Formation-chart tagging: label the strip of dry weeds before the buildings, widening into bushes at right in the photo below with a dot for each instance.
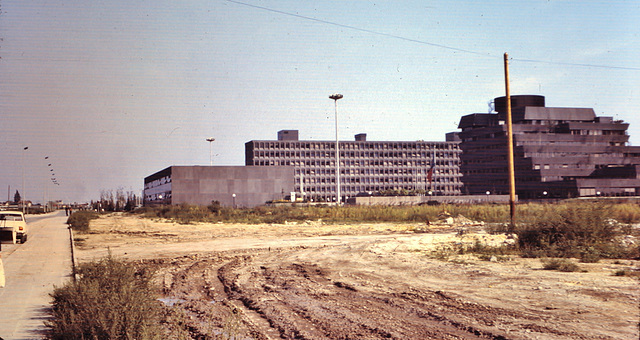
(585, 230)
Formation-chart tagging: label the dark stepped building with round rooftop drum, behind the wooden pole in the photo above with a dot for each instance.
(559, 152)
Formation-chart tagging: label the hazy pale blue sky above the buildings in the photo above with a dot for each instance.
(112, 91)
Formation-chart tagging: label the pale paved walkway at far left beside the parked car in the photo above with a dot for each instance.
(32, 270)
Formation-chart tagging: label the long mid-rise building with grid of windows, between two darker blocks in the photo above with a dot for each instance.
(366, 167)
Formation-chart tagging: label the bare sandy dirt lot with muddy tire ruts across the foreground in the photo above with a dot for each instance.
(365, 281)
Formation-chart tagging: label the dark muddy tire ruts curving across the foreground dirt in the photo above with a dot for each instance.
(268, 297)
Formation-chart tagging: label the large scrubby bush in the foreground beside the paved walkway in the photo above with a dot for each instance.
(110, 300)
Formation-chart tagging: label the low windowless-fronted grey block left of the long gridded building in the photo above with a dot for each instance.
(232, 186)
